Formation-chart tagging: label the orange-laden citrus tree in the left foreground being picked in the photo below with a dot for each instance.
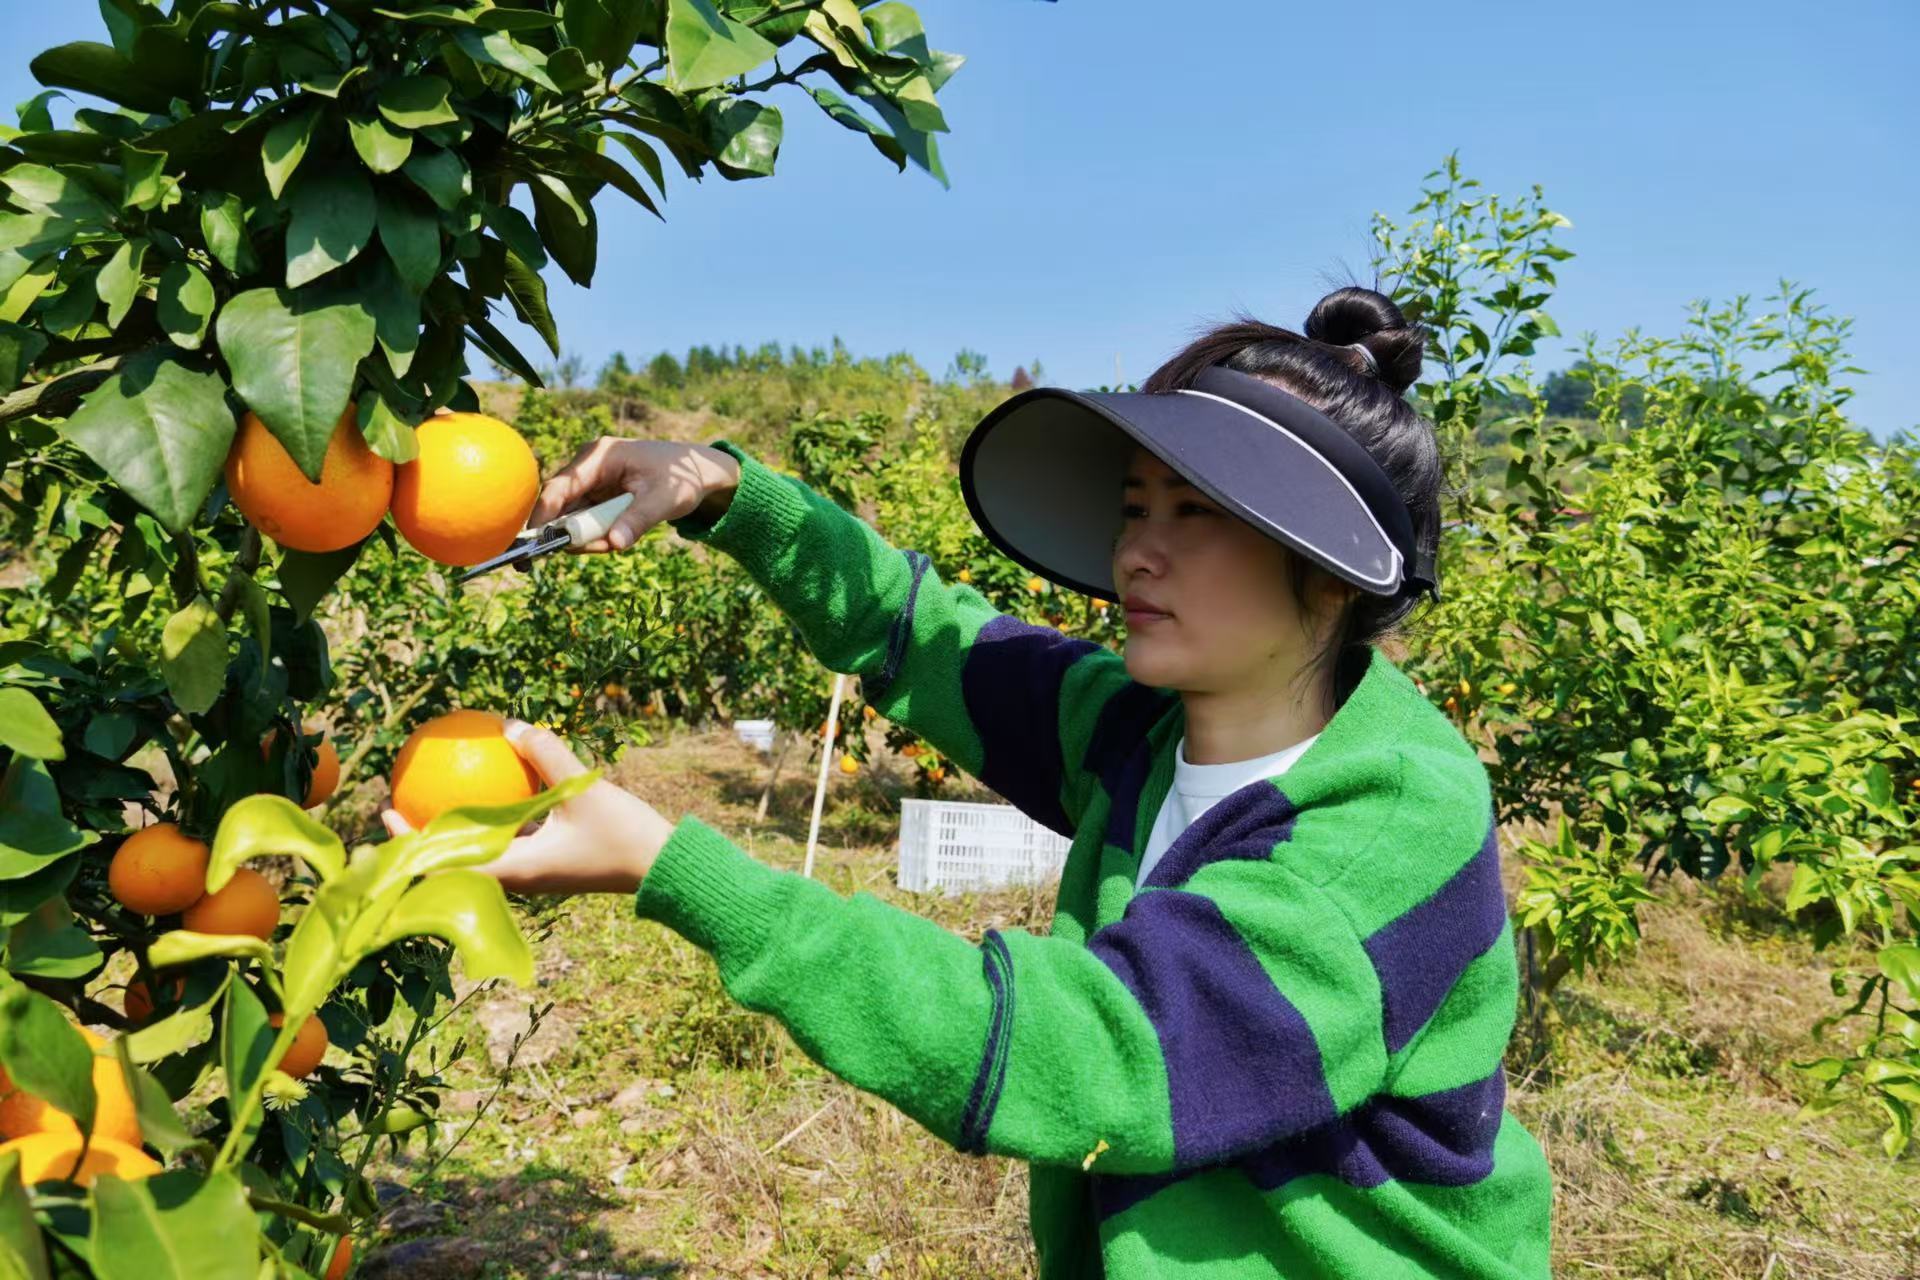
(281, 239)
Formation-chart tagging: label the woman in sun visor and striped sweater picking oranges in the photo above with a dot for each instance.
(1266, 1031)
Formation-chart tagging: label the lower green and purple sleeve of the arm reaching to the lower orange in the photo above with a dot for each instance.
(1212, 1020)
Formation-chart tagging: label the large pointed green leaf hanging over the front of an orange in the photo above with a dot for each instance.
(293, 358)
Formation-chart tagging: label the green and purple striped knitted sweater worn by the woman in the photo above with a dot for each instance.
(1284, 1053)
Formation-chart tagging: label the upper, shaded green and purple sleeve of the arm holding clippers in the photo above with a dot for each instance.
(1017, 705)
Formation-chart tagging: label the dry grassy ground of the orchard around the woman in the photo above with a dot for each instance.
(650, 1127)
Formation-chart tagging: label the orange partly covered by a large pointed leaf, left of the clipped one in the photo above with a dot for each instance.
(270, 490)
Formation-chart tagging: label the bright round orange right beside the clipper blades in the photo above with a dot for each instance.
(469, 490)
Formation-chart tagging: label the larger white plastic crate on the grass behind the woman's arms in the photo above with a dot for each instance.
(953, 847)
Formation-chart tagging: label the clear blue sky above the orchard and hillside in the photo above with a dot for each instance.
(1126, 172)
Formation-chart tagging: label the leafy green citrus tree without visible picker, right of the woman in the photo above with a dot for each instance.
(1687, 632)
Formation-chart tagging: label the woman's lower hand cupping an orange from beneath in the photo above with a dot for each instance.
(602, 841)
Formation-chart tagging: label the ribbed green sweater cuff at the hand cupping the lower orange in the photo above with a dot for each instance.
(711, 893)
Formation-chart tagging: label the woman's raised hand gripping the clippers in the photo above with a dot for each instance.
(667, 479)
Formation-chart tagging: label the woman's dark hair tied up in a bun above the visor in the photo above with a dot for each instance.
(1372, 406)
